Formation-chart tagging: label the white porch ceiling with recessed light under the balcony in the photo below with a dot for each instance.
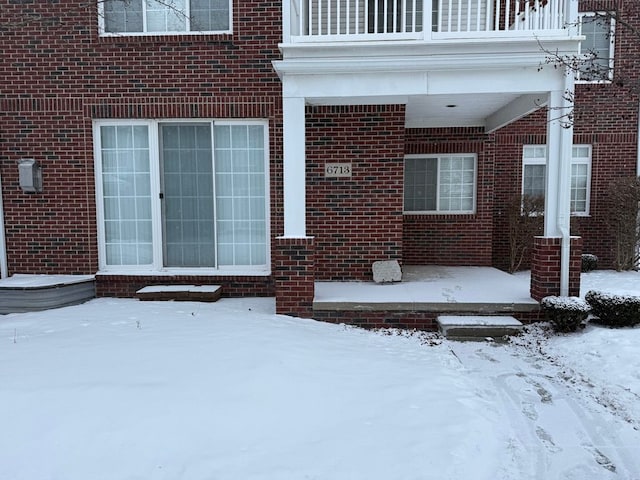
(488, 110)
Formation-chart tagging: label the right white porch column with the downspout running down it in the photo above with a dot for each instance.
(558, 188)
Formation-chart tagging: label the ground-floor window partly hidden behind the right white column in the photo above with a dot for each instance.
(534, 175)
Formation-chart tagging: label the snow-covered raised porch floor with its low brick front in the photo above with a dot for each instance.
(425, 293)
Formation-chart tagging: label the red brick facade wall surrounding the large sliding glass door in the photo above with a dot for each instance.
(59, 75)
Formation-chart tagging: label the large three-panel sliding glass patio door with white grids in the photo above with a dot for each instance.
(182, 194)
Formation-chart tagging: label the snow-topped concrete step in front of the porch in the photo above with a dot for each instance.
(477, 327)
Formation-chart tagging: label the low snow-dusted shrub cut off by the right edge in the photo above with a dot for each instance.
(614, 310)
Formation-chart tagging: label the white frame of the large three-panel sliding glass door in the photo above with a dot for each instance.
(157, 266)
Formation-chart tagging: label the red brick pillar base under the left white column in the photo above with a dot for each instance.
(295, 276)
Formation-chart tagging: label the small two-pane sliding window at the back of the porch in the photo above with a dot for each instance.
(442, 183)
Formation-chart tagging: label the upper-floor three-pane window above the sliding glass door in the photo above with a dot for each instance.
(133, 17)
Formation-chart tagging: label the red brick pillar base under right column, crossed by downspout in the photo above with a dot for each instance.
(545, 267)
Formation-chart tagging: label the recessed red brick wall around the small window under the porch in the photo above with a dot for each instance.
(443, 239)
